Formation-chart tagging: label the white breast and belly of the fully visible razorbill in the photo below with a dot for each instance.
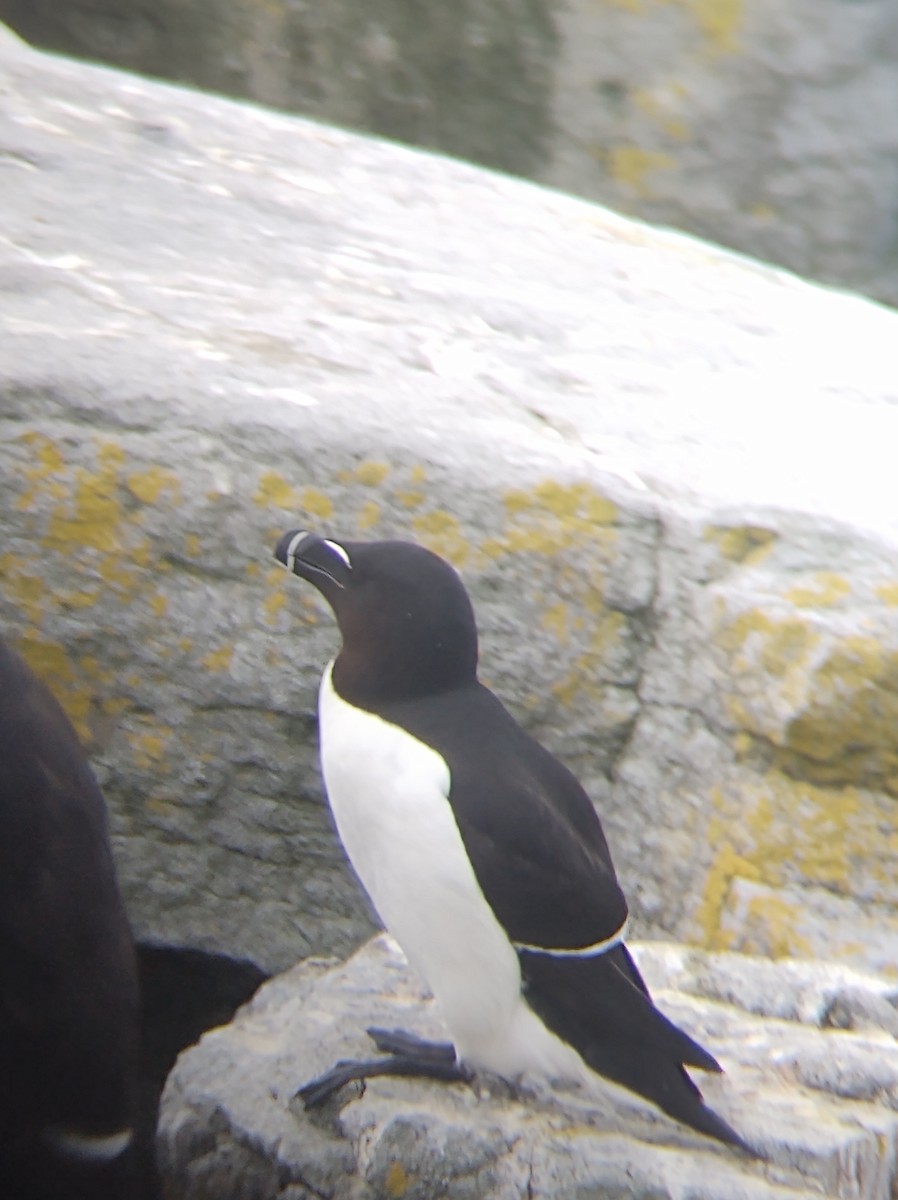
(390, 797)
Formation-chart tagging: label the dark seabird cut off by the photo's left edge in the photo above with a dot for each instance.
(69, 999)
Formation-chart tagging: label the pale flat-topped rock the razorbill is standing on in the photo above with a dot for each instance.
(819, 1105)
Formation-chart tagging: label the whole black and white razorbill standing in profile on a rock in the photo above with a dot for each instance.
(482, 854)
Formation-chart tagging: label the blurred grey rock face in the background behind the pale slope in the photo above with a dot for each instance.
(727, 119)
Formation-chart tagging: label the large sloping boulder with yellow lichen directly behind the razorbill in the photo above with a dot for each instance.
(667, 475)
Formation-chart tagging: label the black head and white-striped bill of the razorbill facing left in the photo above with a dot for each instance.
(406, 620)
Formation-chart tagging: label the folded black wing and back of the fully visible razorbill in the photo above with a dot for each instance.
(531, 831)
